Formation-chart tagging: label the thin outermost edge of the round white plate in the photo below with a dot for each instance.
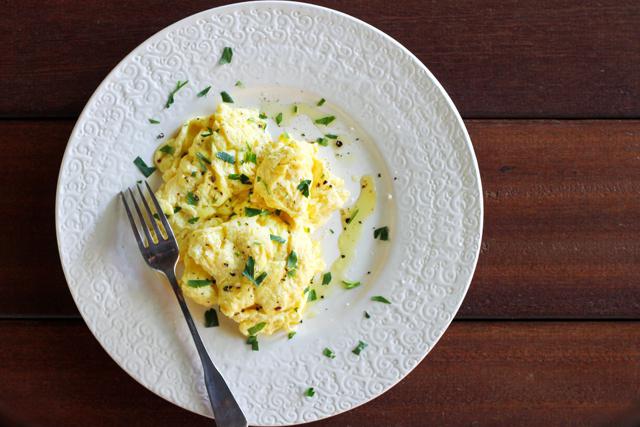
(456, 114)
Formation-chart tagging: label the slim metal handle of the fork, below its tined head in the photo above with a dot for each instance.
(226, 411)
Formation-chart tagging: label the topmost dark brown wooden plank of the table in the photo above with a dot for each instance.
(496, 58)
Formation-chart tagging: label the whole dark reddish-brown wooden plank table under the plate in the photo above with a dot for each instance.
(549, 332)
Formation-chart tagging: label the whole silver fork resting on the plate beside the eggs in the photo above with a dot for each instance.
(163, 256)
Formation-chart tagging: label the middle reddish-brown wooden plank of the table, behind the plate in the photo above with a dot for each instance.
(562, 220)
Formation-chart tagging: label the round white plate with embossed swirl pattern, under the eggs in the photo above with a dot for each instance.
(429, 196)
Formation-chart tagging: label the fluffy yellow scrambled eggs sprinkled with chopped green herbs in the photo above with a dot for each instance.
(243, 208)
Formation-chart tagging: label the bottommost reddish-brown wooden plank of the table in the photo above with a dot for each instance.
(481, 373)
